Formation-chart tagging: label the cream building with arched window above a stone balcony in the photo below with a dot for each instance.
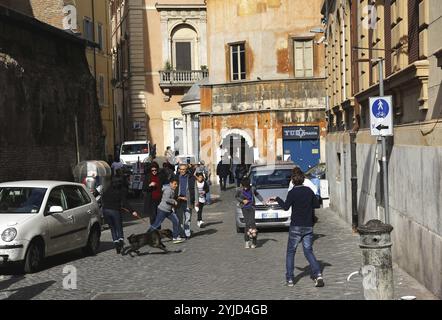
(160, 52)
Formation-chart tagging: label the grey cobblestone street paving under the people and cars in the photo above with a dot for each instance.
(213, 265)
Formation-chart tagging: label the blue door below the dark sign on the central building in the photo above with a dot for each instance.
(304, 153)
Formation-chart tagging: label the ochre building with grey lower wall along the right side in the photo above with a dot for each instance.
(404, 34)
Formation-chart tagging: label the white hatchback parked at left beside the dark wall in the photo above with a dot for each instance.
(44, 218)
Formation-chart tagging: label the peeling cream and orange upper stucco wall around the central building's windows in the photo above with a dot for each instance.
(267, 27)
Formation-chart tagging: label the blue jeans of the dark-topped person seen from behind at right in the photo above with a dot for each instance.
(296, 235)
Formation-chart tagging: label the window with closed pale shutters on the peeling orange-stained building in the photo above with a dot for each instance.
(303, 58)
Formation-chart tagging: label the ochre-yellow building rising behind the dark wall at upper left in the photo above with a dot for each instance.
(89, 19)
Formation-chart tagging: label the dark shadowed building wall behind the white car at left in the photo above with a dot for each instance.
(45, 85)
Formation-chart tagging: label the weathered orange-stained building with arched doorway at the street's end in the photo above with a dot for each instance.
(265, 99)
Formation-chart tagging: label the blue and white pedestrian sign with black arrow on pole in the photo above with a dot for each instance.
(381, 118)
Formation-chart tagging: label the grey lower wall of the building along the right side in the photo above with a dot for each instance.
(415, 189)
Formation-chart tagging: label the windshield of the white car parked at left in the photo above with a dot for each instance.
(21, 200)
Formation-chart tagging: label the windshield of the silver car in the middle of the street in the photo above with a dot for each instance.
(271, 178)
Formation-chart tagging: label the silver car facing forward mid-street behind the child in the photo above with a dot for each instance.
(270, 181)
